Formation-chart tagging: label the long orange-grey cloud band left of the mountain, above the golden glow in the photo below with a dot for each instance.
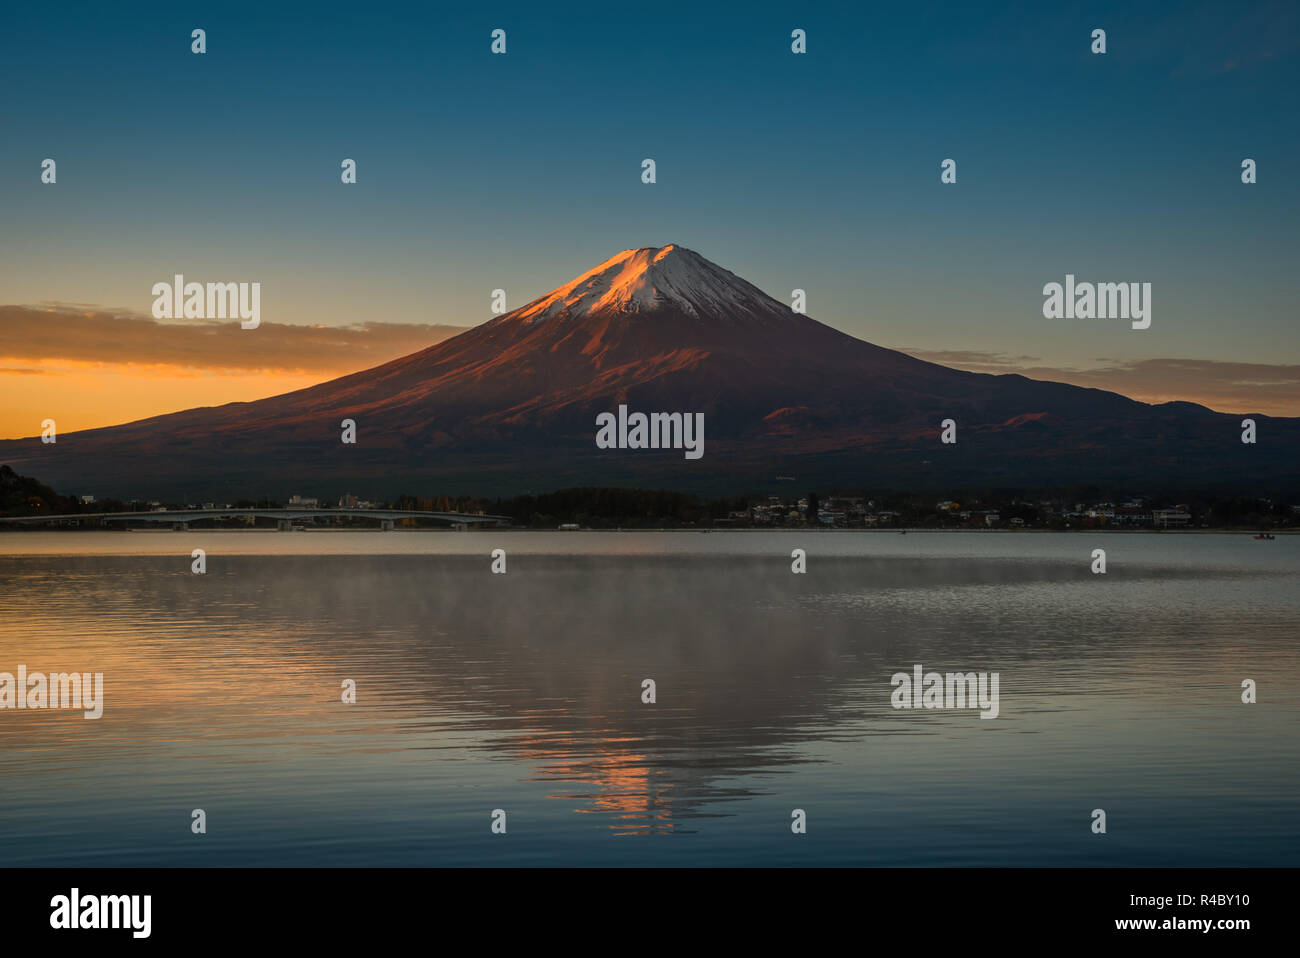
(86, 333)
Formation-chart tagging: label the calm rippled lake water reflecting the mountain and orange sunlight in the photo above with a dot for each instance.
(523, 692)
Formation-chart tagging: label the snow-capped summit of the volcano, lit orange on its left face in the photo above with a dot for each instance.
(653, 279)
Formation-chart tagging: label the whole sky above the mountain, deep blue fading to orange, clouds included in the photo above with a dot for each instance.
(519, 172)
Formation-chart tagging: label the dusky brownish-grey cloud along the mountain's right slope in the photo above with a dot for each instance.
(1264, 388)
